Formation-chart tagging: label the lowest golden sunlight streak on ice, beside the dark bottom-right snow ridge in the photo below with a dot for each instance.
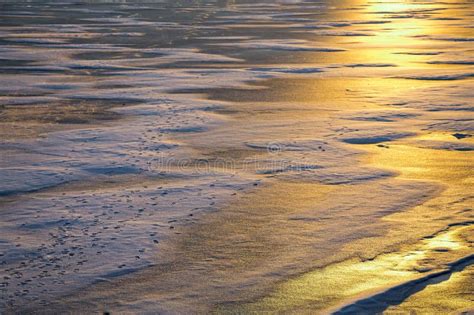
(324, 289)
